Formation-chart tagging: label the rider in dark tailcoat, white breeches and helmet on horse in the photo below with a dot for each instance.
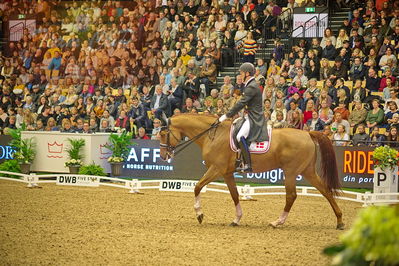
(253, 129)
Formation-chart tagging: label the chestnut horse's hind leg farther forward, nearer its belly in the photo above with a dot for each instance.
(290, 197)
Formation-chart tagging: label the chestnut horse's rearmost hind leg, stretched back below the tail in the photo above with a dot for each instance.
(316, 181)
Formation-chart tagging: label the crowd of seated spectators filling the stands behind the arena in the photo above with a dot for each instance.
(103, 66)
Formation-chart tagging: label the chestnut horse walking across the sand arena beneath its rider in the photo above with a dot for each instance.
(294, 151)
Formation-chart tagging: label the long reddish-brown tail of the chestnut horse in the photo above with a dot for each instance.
(329, 170)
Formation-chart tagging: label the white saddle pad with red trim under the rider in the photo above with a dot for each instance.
(254, 147)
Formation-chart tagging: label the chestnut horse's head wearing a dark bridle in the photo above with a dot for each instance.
(169, 137)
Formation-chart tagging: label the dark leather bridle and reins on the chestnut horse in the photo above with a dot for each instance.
(174, 150)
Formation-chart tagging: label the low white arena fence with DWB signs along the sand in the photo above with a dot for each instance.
(246, 192)
